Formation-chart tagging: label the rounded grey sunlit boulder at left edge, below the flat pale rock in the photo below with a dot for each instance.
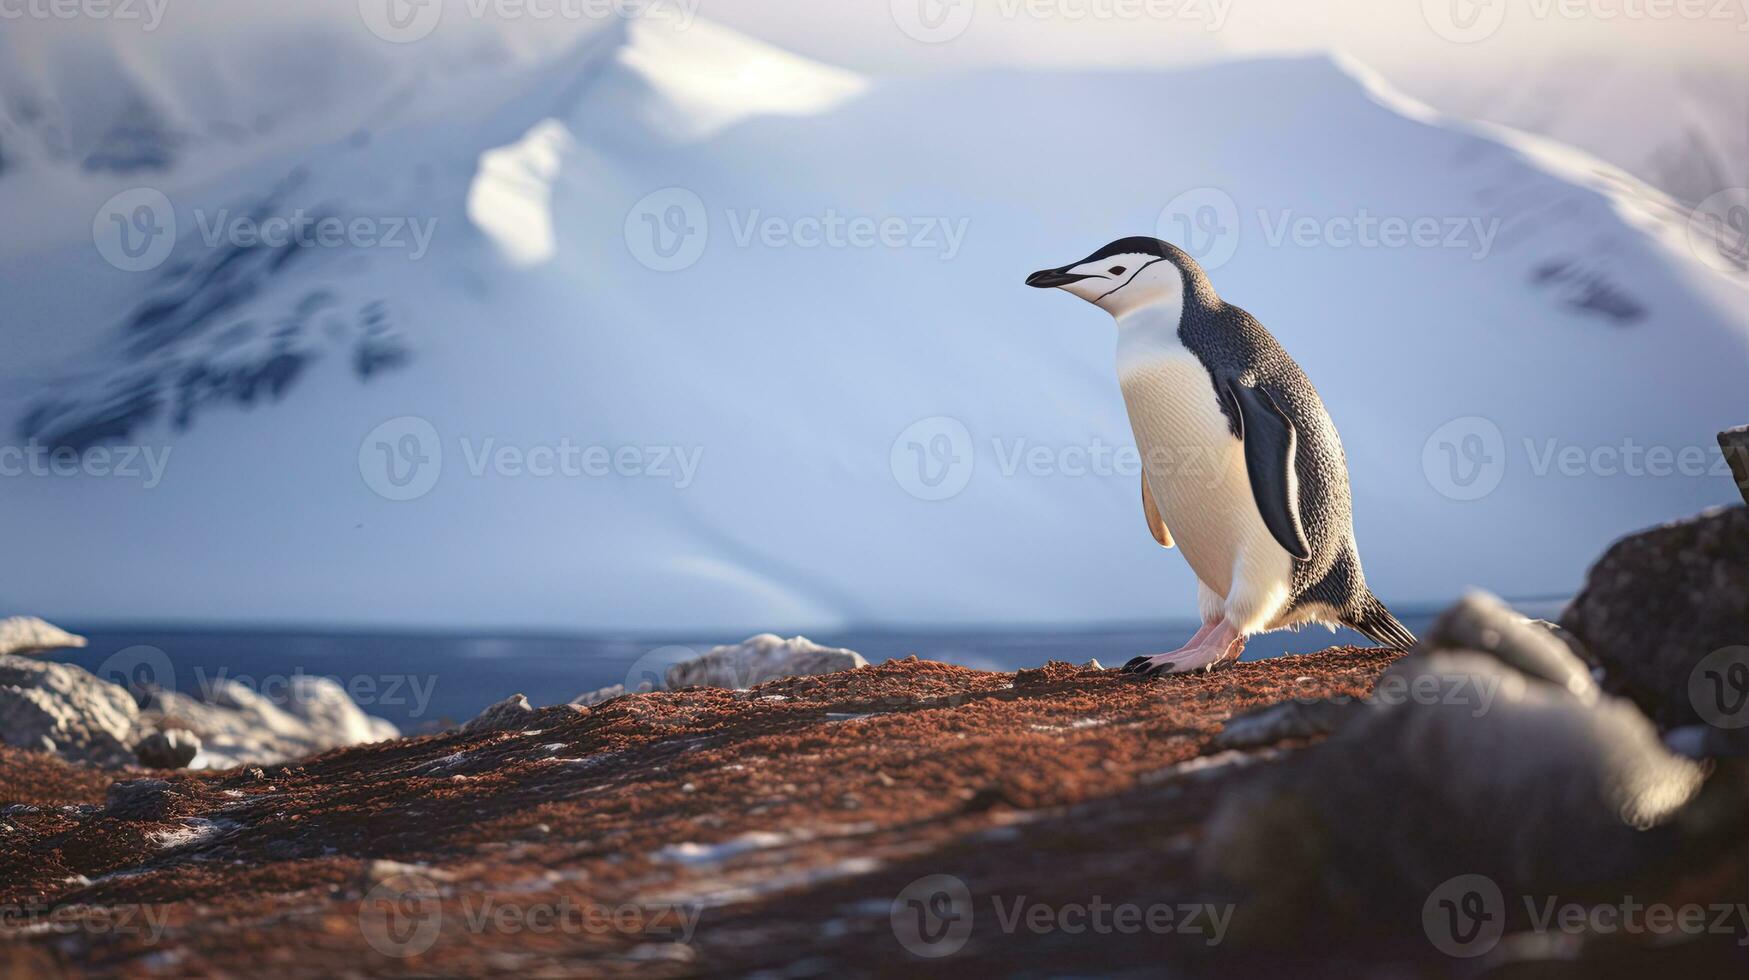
(83, 717)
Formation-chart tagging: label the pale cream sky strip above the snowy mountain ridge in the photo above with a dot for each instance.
(1402, 38)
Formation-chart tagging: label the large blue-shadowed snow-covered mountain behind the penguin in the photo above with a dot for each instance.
(758, 312)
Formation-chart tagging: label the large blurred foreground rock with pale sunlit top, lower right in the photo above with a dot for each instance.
(1488, 752)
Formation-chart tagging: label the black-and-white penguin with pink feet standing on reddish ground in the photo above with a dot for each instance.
(1243, 468)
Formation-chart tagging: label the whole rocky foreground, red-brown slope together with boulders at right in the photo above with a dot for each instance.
(1505, 801)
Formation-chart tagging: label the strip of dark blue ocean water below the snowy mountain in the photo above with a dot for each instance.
(422, 682)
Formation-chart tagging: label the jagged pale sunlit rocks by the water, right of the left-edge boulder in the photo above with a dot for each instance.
(239, 727)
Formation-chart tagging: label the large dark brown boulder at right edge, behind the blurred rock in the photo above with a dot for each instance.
(1661, 603)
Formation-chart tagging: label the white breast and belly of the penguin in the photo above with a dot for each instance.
(1197, 470)
